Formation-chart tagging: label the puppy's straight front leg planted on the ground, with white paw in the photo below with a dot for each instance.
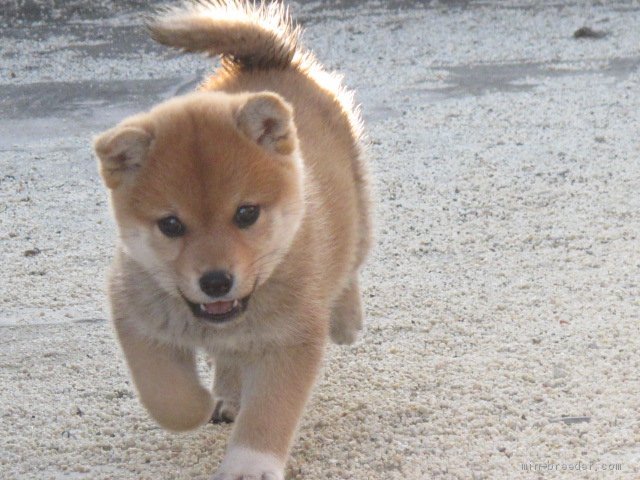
(275, 389)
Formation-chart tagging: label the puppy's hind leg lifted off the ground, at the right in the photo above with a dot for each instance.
(346, 316)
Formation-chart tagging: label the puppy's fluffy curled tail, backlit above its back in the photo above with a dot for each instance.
(252, 36)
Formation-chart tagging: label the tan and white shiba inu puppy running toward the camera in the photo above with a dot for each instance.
(243, 219)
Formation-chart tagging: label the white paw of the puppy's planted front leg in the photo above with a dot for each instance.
(241, 463)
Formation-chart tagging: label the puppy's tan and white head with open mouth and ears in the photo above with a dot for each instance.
(207, 194)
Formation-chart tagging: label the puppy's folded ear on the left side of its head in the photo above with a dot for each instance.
(121, 150)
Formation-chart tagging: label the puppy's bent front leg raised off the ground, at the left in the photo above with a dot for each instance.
(166, 379)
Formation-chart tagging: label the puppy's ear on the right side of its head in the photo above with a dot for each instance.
(267, 119)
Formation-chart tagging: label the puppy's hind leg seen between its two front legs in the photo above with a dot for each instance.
(226, 390)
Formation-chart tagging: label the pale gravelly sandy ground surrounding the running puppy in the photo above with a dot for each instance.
(503, 296)
